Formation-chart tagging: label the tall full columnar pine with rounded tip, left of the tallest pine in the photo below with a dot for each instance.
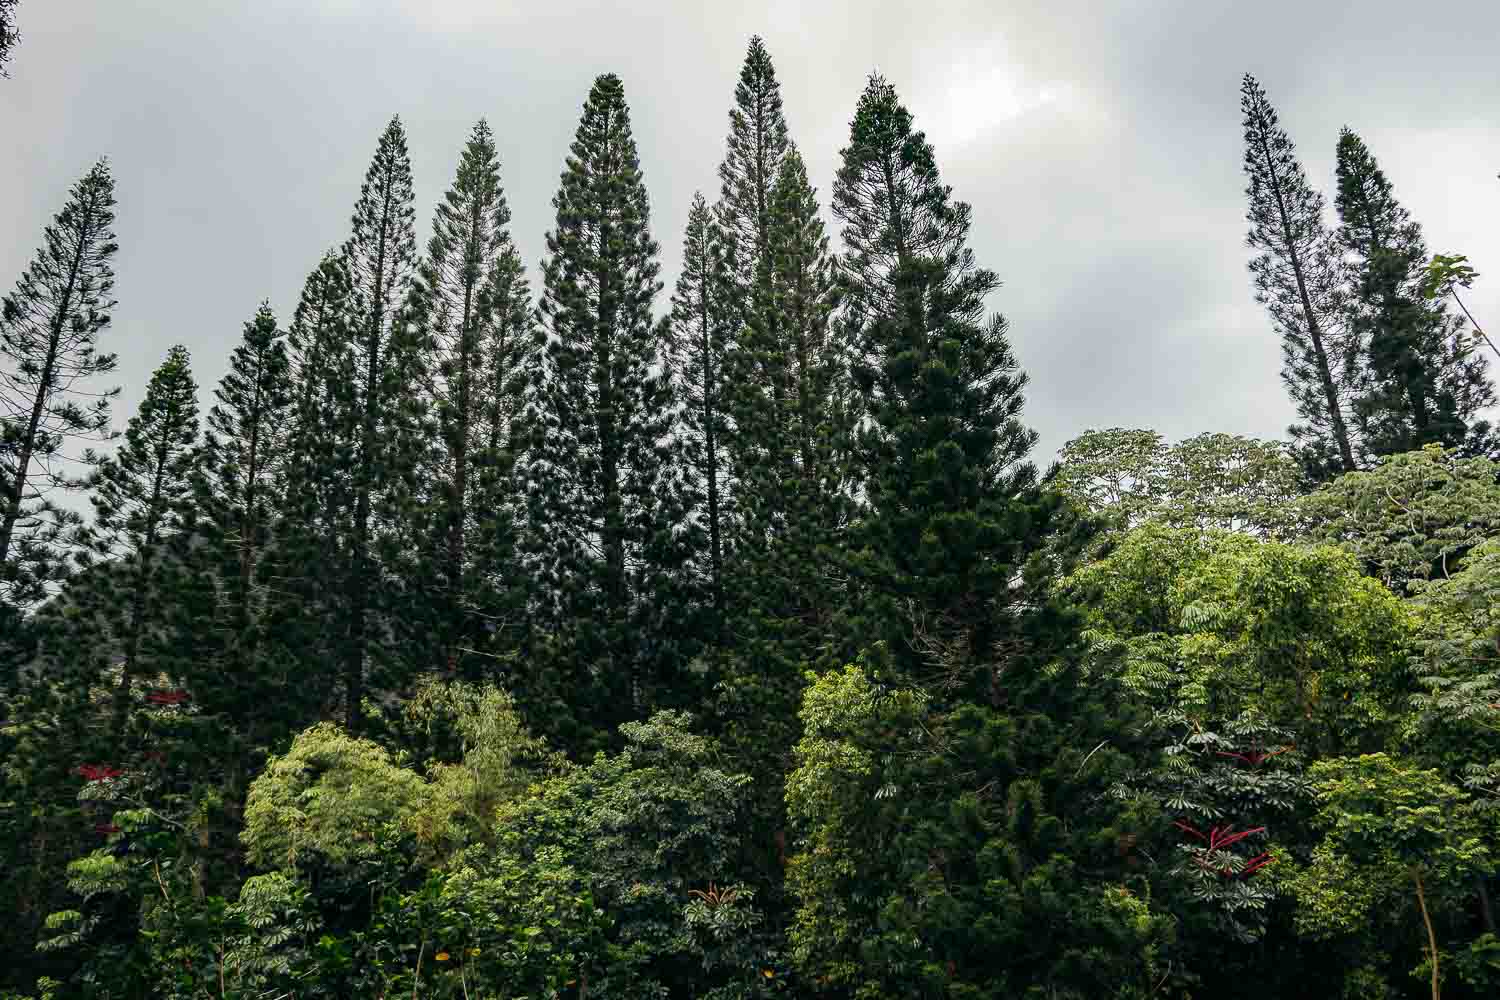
(604, 463)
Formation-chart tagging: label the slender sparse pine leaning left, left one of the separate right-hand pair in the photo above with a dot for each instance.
(1300, 280)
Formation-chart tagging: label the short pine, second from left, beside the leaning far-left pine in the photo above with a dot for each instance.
(145, 500)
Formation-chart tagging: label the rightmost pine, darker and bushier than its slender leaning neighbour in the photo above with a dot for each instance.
(1424, 383)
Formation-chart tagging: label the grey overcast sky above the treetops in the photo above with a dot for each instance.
(1100, 151)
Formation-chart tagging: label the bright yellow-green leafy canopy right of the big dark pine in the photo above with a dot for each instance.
(1214, 624)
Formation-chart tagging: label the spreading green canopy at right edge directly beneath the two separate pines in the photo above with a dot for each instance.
(1412, 518)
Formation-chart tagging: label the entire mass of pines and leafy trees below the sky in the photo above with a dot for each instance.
(590, 641)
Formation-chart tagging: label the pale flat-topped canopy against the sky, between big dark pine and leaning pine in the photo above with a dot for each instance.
(1214, 481)
